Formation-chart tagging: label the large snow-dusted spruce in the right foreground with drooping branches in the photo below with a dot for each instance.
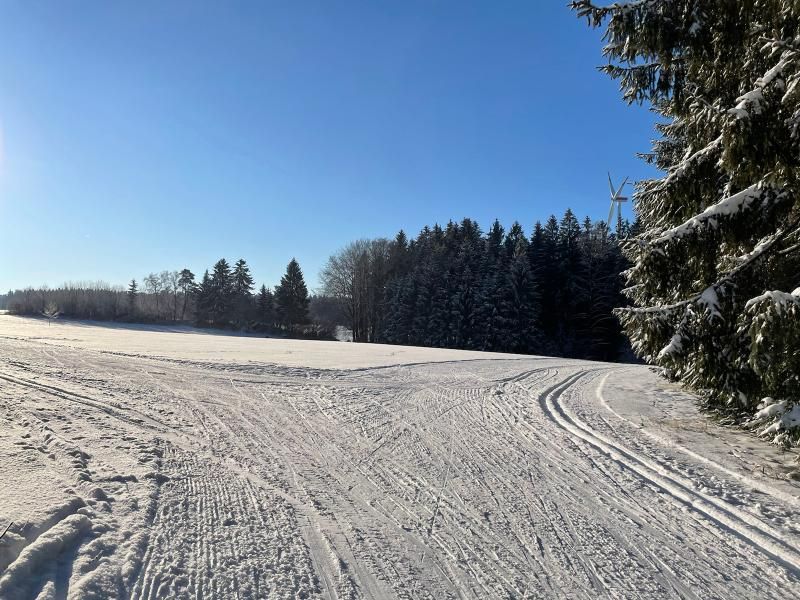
(716, 265)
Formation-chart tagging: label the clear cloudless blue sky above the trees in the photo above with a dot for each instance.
(143, 136)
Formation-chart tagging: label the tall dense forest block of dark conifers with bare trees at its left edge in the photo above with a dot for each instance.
(457, 287)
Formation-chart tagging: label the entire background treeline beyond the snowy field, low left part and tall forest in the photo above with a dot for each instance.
(552, 292)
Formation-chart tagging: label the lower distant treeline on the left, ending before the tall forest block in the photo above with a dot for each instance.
(223, 298)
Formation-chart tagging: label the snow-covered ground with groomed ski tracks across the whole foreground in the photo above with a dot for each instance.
(151, 463)
